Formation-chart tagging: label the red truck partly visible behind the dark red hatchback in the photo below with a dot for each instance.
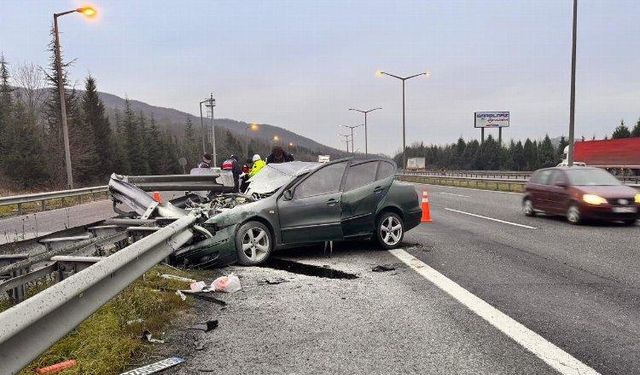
(617, 155)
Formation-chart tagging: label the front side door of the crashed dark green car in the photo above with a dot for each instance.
(312, 214)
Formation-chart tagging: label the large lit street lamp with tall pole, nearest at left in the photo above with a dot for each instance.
(87, 12)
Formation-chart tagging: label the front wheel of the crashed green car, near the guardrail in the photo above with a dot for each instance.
(253, 243)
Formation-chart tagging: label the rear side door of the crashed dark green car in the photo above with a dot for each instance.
(360, 196)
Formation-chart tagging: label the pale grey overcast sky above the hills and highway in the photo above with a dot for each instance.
(302, 64)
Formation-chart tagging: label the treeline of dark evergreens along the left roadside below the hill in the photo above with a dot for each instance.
(31, 138)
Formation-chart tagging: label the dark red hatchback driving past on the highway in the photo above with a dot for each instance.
(580, 193)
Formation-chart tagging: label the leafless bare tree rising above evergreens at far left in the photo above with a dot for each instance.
(31, 93)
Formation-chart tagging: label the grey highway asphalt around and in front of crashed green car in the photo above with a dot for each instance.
(574, 286)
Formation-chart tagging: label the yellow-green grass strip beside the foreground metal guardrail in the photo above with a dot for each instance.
(104, 343)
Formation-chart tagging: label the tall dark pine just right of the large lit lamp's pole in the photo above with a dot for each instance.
(95, 117)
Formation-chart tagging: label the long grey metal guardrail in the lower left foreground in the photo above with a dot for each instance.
(29, 328)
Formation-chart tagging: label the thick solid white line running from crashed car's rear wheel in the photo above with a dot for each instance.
(555, 357)
